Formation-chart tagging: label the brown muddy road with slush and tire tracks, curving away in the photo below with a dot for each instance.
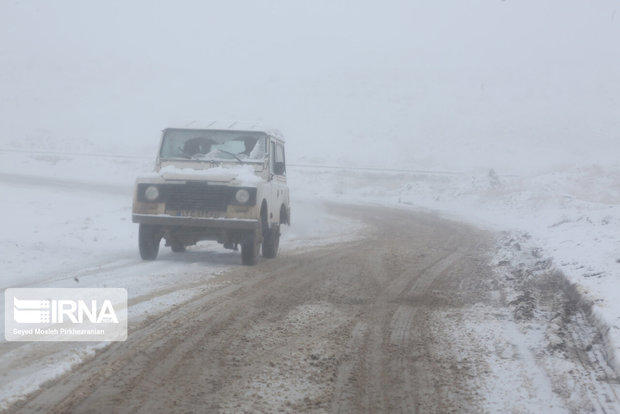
(409, 318)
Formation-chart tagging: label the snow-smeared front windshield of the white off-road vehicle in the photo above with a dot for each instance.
(213, 145)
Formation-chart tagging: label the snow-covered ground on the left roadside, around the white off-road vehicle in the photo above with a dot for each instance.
(68, 224)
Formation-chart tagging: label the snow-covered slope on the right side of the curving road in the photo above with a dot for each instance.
(569, 217)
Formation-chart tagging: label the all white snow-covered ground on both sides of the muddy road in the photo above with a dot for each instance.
(68, 223)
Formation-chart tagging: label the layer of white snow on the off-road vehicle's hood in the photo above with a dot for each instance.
(240, 174)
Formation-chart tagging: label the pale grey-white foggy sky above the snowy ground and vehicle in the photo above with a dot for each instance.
(509, 84)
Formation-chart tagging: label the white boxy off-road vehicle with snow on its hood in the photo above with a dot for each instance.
(227, 185)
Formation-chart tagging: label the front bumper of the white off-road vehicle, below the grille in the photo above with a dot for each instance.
(213, 223)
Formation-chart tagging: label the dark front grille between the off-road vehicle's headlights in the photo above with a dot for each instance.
(198, 197)
